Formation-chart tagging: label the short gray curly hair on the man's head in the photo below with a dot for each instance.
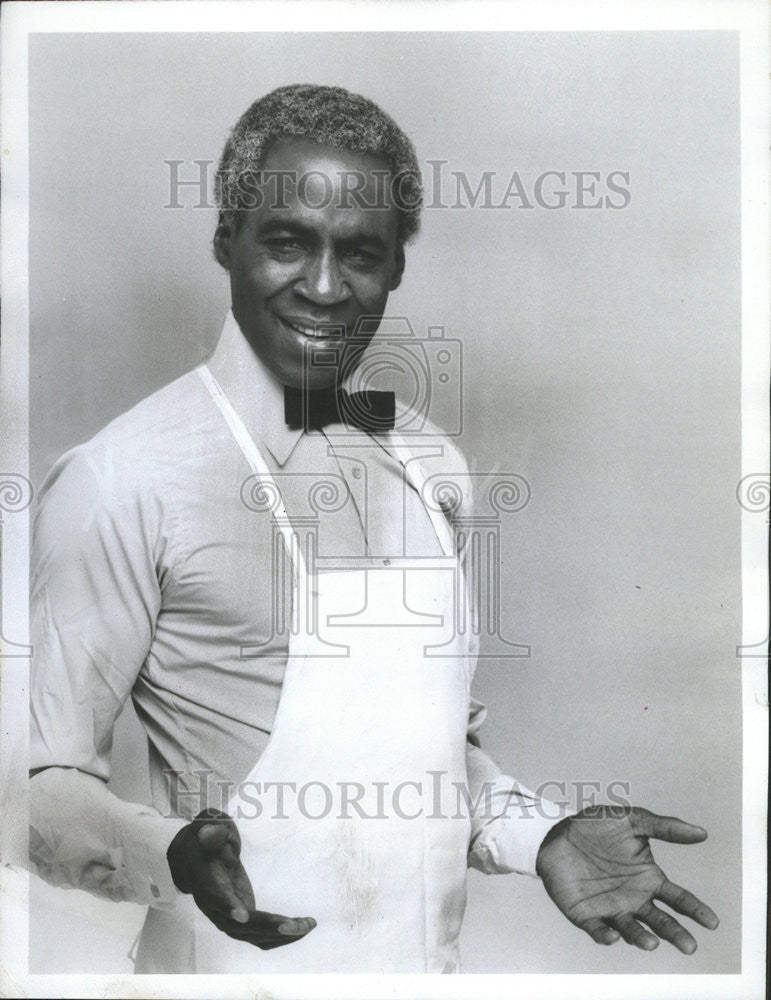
(330, 115)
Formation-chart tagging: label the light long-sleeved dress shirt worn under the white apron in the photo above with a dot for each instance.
(156, 577)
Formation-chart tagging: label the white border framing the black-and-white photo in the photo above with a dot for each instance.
(19, 20)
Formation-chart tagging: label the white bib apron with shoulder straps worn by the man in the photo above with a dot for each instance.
(367, 840)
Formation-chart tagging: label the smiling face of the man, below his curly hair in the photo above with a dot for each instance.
(302, 276)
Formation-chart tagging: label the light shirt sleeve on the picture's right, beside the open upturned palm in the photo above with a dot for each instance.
(508, 821)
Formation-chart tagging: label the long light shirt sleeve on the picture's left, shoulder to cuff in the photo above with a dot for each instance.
(95, 598)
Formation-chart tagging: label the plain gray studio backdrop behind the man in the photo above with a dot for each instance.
(601, 362)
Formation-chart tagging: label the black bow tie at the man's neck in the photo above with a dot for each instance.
(366, 411)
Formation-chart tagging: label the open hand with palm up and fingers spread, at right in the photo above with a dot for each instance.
(598, 868)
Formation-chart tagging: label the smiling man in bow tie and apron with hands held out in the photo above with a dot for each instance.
(274, 647)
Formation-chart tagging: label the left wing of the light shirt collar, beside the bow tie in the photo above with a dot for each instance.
(255, 392)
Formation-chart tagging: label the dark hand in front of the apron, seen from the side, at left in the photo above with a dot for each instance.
(204, 859)
